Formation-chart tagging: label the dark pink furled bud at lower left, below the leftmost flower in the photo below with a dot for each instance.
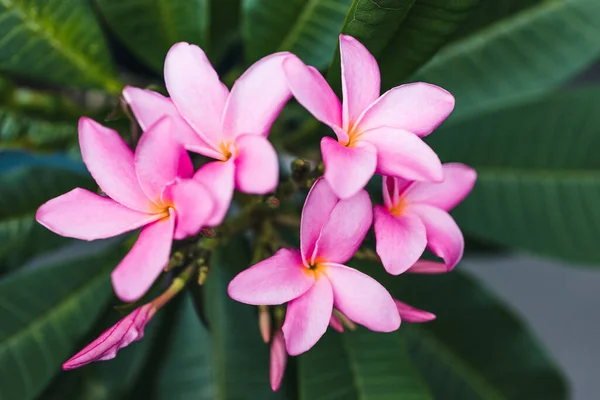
(123, 333)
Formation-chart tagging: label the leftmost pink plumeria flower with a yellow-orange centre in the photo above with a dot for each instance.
(147, 189)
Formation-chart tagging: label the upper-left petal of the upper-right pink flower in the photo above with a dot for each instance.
(312, 91)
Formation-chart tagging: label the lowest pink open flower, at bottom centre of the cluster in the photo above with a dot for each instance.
(313, 280)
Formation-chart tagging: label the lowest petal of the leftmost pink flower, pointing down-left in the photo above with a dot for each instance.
(136, 273)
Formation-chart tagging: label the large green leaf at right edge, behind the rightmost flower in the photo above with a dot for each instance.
(539, 174)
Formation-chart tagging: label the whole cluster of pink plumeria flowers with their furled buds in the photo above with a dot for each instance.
(156, 188)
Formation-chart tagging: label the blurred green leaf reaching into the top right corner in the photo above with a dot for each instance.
(525, 55)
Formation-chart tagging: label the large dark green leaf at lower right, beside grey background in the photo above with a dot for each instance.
(476, 348)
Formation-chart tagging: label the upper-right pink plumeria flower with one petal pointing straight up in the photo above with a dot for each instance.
(375, 134)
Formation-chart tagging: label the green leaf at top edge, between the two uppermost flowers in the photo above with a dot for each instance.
(308, 28)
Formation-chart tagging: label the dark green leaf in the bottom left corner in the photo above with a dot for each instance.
(45, 312)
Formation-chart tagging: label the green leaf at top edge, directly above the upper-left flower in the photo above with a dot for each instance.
(150, 28)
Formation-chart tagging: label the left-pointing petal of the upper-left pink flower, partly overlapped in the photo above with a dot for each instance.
(148, 107)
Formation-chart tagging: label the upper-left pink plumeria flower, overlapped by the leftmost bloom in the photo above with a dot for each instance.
(231, 127)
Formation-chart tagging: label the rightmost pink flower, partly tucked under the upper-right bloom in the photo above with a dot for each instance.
(416, 216)
